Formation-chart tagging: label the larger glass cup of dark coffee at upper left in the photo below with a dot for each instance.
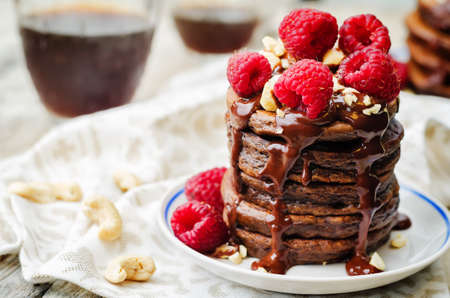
(85, 56)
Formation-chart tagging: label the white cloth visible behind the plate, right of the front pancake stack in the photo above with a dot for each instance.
(419, 145)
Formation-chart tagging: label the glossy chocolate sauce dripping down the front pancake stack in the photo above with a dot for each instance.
(298, 132)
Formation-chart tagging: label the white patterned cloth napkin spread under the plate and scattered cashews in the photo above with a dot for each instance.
(161, 141)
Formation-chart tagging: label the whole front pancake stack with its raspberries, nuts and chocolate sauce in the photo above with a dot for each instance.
(314, 143)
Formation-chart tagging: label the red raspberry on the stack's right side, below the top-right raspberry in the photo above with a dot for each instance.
(370, 71)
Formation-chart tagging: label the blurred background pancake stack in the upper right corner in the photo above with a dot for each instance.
(429, 45)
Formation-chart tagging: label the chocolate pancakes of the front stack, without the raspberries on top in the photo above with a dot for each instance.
(317, 210)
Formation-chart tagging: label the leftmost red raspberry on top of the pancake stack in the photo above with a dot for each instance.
(247, 72)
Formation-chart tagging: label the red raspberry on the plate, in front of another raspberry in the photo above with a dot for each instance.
(199, 226)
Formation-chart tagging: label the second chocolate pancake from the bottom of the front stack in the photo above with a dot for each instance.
(257, 219)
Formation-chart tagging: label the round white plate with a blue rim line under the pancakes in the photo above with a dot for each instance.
(428, 238)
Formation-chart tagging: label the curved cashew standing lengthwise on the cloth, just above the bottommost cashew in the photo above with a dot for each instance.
(105, 214)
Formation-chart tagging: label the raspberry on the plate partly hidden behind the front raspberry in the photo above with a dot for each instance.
(205, 187)
